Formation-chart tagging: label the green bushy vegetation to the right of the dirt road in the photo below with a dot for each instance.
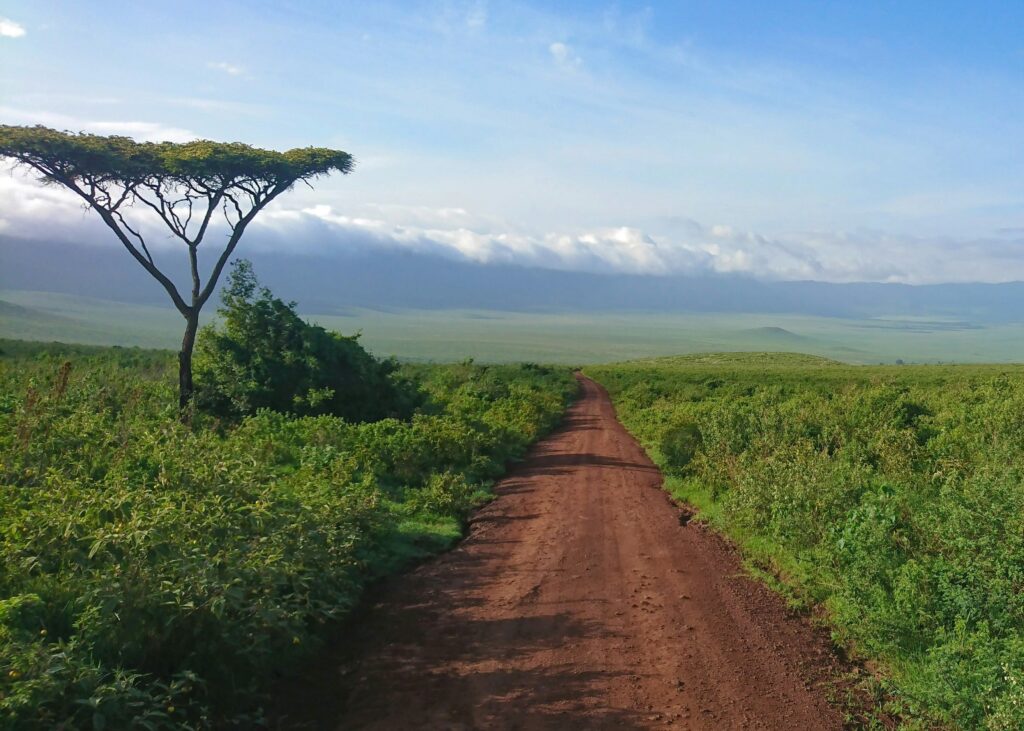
(891, 496)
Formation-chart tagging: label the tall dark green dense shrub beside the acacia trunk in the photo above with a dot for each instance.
(263, 355)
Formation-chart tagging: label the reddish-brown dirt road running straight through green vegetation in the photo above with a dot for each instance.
(578, 601)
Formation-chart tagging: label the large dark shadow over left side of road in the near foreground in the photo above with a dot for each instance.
(417, 640)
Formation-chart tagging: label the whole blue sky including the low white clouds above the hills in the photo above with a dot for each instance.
(836, 142)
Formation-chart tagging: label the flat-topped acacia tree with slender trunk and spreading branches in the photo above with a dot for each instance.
(183, 186)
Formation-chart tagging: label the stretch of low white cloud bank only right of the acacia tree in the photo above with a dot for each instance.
(688, 248)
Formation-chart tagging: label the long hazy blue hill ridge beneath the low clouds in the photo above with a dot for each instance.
(389, 280)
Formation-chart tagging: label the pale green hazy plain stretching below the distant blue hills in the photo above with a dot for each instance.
(546, 337)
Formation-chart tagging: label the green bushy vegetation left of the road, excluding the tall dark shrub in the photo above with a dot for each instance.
(156, 576)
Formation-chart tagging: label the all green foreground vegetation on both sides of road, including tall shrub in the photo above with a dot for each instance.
(160, 575)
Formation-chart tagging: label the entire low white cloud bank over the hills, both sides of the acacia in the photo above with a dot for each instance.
(680, 247)
